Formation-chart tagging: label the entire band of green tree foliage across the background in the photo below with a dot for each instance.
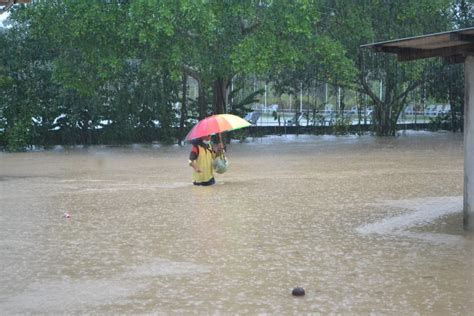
(111, 71)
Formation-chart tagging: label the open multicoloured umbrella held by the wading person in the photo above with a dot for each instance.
(216, 124)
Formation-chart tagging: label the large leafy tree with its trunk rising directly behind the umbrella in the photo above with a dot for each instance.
(215, 41)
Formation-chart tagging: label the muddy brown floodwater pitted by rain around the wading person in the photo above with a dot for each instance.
(363, 224)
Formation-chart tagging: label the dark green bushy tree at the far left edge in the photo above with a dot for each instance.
(28, 93)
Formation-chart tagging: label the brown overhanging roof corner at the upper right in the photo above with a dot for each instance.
(453, 46)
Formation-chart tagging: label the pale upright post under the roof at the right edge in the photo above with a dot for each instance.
(469, 143)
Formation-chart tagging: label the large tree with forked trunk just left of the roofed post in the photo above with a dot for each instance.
(362, 22)
